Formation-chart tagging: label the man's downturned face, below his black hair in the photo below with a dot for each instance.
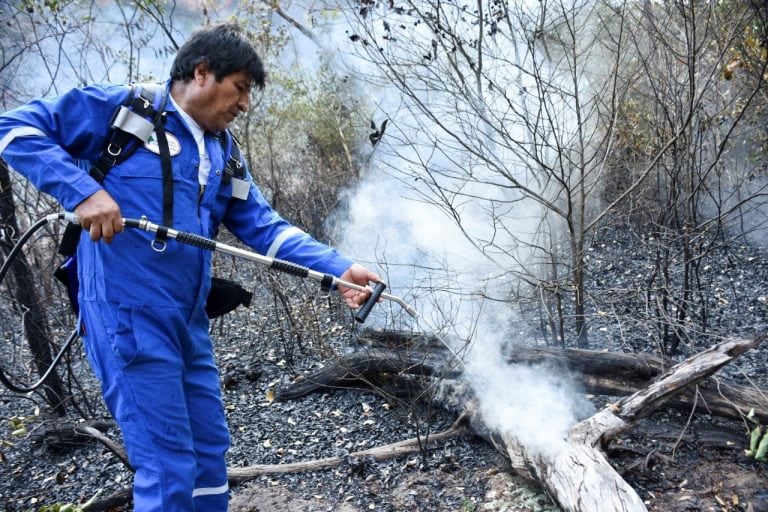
(220, 102)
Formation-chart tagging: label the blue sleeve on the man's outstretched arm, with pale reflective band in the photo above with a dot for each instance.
(257, 224)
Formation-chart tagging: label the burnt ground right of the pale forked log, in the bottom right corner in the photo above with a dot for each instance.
(678, 466)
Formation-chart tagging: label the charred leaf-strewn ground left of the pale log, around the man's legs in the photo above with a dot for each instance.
(257, 355)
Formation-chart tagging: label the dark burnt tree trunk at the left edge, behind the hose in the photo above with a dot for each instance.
(35, 322)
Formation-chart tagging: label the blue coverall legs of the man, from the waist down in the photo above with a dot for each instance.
(157, 373)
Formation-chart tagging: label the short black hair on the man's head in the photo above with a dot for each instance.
(226, 50)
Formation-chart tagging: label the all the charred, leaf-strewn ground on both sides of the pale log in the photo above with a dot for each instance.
(675, 462)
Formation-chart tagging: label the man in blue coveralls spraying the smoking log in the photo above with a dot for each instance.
(145, 327)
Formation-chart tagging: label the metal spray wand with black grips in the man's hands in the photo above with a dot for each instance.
(184, 237)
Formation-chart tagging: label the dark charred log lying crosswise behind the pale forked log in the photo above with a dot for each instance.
(600, 373)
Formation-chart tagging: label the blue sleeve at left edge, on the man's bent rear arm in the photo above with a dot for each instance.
(43, 139)
